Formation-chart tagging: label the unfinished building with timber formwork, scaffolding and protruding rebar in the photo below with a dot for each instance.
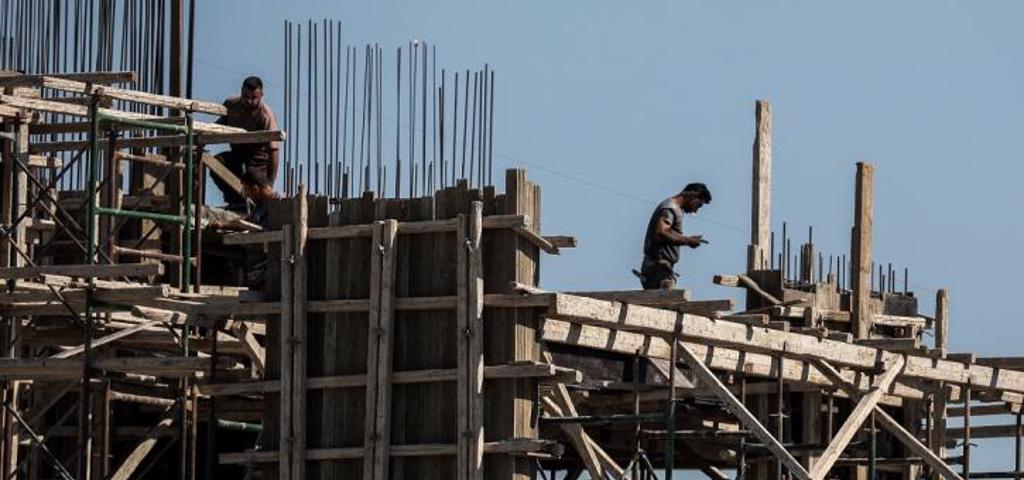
(366, 336)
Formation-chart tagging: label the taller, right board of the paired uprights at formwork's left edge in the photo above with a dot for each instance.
(300, 337)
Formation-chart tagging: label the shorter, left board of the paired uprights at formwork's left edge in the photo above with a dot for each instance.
(287, 301)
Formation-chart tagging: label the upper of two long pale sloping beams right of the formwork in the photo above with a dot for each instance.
(715, 332)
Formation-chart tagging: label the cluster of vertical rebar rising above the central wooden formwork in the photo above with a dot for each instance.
(335, 104)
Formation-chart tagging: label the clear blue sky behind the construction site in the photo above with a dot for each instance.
(615, 106)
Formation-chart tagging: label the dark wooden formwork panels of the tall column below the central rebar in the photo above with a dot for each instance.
(422, 414)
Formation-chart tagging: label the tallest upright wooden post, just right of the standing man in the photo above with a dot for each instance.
(757, 253)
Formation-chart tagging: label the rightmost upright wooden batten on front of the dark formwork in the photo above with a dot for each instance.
(471, 343)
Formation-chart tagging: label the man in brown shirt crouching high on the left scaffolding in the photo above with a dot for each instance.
(254, 164)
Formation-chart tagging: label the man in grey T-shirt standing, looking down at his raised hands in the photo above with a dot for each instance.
(665, 236)
